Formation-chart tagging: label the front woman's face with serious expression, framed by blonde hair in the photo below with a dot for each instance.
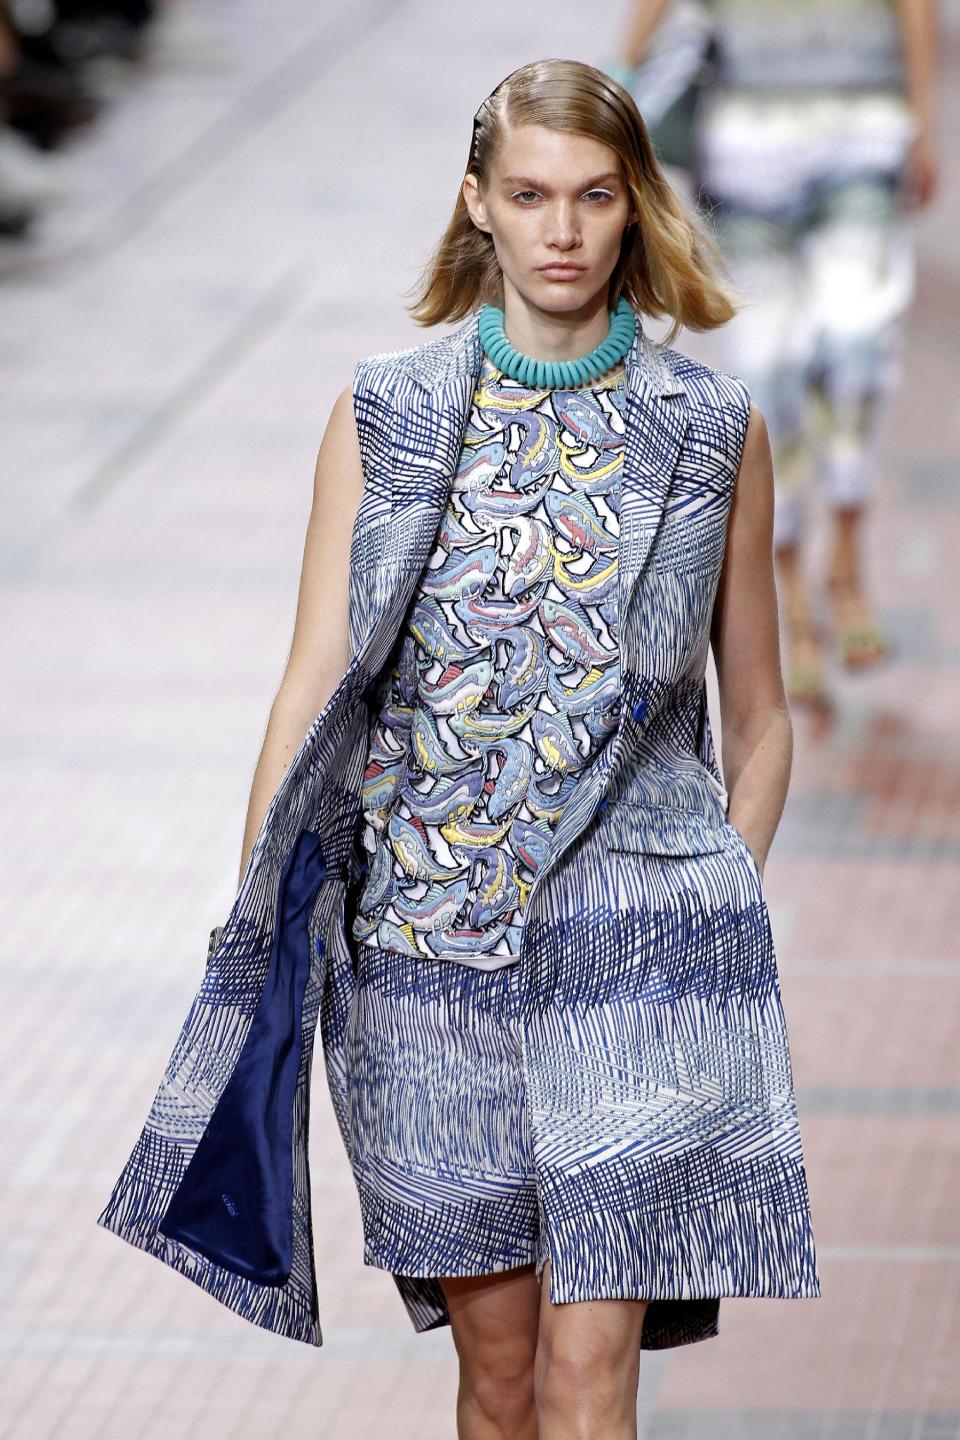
(553, 199)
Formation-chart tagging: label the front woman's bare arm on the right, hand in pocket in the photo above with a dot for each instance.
(758, 735)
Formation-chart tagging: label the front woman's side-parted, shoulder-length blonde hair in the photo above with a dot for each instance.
(669, 264)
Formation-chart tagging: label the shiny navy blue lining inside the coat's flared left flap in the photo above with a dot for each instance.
(235, 1203)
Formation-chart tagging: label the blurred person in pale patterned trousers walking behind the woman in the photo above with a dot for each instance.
(807, 133)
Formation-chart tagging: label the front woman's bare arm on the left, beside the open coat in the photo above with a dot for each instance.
(320, 650)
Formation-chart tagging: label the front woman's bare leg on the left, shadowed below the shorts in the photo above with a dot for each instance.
(494, 1320)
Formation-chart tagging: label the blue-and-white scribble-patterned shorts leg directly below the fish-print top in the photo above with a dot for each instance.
(440, 1118)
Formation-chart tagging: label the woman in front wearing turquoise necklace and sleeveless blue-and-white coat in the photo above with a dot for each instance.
(502, 870)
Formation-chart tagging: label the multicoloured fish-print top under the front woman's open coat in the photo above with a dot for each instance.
(504, 682)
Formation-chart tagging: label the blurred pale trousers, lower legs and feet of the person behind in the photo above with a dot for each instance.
(805, 198)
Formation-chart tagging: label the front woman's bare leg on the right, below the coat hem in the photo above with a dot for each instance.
(588, 1367)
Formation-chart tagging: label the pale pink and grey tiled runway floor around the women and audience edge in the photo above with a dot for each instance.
(238, 233)
